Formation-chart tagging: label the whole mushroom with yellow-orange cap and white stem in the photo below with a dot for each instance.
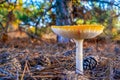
(78, 33)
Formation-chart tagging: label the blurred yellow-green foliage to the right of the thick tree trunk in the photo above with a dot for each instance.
(100, 12)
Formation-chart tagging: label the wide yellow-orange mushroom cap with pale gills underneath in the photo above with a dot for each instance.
(78, 31)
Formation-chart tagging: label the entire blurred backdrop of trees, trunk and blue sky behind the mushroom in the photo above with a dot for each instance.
(38, 14)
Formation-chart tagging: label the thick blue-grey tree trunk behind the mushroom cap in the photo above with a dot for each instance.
(63, 16)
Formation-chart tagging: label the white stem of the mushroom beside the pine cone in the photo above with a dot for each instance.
(79, 56)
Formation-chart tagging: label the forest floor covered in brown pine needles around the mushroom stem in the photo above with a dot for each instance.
(25, 59)
